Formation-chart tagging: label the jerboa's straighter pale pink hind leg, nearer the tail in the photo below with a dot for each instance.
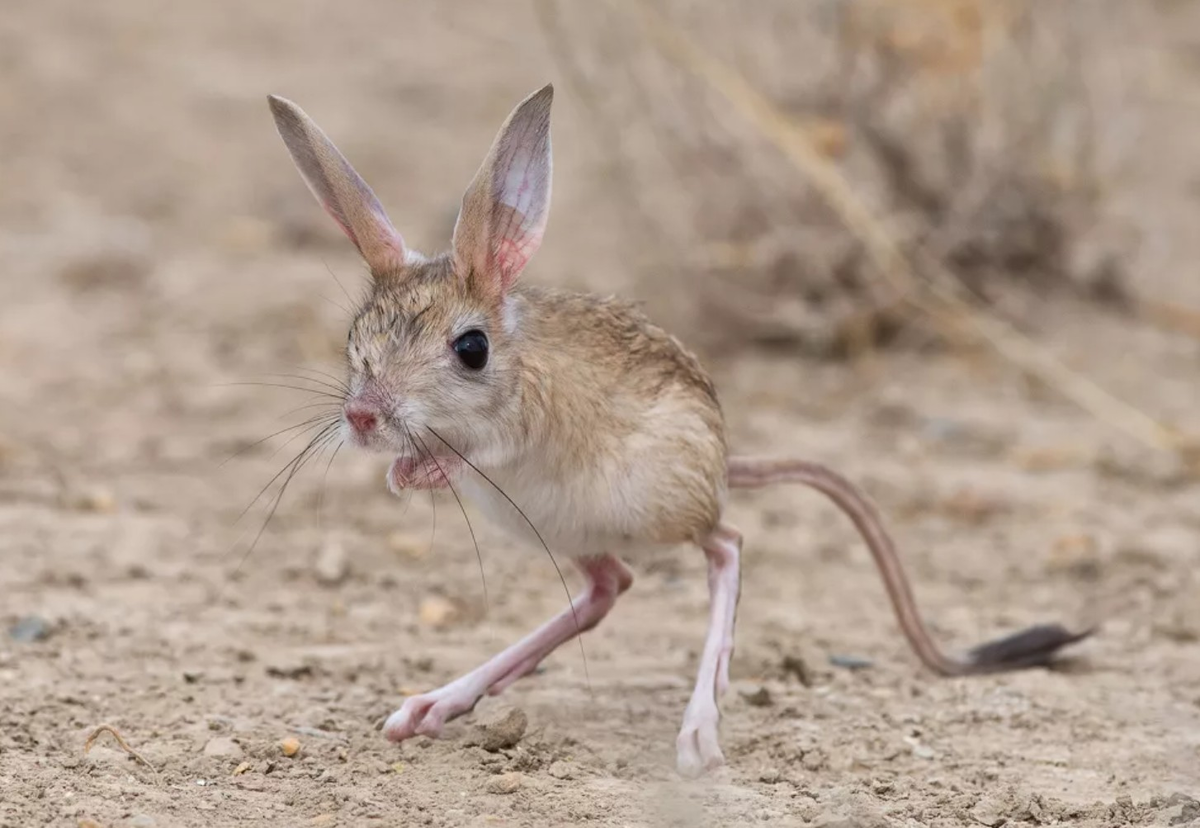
(699, 746)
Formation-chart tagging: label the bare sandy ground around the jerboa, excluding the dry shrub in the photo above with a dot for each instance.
(157, 249)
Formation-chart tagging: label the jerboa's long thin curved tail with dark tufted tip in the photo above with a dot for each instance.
(1028, 649)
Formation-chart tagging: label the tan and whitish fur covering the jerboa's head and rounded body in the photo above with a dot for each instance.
(601, 427)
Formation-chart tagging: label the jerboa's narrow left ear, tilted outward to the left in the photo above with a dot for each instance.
(340, 190)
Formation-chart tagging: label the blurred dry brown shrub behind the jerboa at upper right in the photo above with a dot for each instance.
(983, 134)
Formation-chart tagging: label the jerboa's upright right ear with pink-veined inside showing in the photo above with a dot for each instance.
(505, 209)
